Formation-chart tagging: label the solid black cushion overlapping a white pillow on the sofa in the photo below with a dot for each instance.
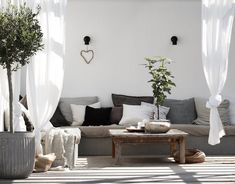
(96, 117)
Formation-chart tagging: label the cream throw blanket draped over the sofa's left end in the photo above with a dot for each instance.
(61, 141)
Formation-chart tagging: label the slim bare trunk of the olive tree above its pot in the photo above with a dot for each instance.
(10, 97)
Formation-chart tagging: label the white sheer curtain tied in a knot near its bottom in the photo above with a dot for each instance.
(217, 21)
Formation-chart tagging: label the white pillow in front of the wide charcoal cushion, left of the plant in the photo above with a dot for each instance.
(132, 114)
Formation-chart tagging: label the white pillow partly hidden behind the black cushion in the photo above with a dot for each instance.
(79, 111)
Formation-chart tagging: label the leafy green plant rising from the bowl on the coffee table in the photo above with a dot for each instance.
(161, 79)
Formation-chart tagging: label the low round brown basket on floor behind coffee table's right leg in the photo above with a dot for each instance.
(191, 156)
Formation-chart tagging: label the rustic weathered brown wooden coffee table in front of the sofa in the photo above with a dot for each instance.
(173, 137)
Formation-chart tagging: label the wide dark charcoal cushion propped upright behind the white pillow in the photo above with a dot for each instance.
(119, 100)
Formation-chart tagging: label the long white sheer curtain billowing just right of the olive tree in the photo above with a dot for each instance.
(45, 73)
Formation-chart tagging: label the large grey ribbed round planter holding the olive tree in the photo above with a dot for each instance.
(17, 153)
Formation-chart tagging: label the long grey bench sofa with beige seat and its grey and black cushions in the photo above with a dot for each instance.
(185, 115)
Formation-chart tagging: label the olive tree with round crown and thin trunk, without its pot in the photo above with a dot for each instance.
(20, 38)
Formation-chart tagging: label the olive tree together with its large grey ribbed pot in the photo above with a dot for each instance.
(20, 38)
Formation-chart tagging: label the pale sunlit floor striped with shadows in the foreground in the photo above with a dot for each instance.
(101, 169)
